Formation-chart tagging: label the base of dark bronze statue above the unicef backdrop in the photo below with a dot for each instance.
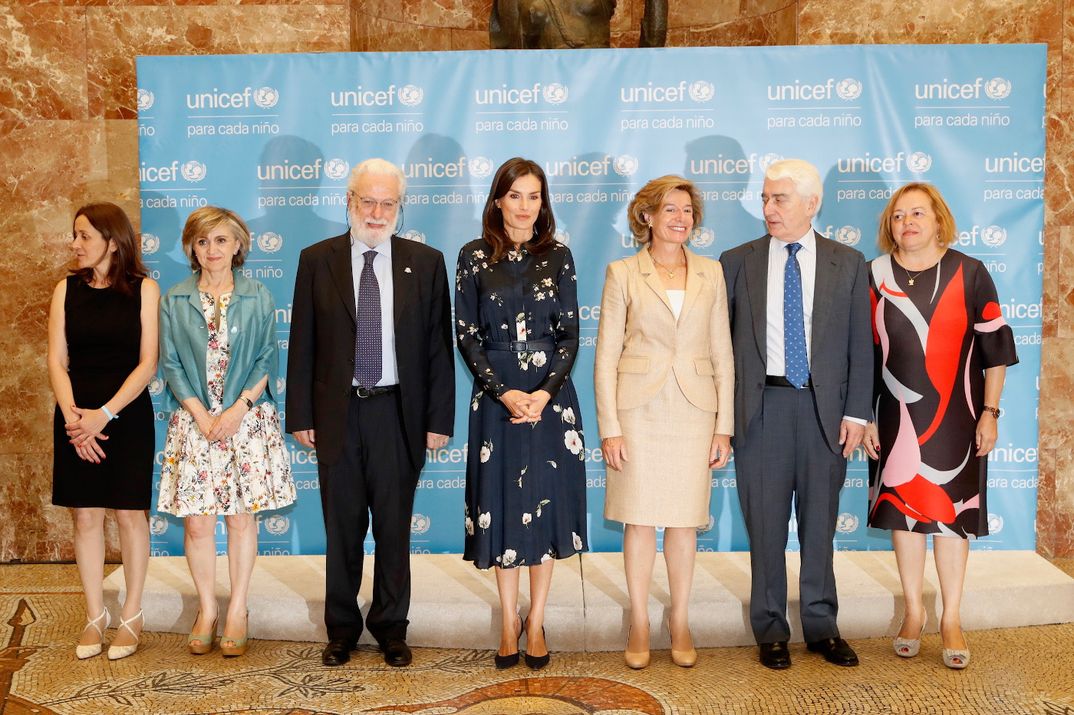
(569, 24)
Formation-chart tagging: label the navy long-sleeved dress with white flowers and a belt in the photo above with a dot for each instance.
(526, 485)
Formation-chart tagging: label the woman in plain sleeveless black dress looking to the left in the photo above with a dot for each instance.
(103, 354)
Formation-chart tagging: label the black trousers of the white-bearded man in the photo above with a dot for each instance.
(373, 475)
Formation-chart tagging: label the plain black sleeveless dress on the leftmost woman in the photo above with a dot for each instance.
(104, 331)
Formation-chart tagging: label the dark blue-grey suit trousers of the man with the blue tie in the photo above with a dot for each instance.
(785, 456)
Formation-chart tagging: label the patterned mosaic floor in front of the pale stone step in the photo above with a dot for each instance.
(1024, 670)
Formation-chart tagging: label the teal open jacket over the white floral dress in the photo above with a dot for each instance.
(184, 339)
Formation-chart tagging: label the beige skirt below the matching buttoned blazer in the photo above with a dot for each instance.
(667, 481)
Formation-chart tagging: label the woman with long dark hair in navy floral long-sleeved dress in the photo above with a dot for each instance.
(517, 327)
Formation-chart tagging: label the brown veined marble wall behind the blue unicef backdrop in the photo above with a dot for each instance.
(68, 135)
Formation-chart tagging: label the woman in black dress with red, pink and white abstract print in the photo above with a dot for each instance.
(942, 352)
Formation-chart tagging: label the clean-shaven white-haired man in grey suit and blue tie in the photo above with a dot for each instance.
(800, 308)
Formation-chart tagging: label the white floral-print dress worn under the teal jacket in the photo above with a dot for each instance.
(249, 473)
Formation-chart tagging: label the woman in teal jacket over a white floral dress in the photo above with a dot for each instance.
(225, 451)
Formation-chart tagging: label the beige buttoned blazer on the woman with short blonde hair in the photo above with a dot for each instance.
(641, 345)
